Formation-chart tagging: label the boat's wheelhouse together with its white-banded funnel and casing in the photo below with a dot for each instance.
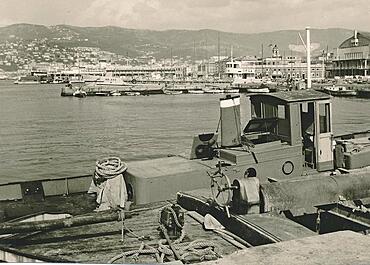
(289, 132)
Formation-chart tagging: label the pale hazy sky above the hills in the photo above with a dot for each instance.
(227, 15)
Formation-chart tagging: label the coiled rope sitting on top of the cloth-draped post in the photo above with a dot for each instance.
(108, 168)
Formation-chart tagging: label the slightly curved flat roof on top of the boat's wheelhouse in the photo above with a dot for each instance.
(296, 95)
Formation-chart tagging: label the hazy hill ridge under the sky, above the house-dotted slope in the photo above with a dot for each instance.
(182, 42)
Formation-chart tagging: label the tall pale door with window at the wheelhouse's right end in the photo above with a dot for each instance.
(323, 136)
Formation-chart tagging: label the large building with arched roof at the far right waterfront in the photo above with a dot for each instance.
(352, 56)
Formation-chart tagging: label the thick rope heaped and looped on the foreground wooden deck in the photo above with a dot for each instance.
(198, 249)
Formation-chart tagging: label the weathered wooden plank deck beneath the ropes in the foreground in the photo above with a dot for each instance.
(98, 243)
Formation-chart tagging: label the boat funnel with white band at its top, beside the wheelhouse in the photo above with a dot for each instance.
(230, 121)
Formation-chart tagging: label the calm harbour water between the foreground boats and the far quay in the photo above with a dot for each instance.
(44, 134)
